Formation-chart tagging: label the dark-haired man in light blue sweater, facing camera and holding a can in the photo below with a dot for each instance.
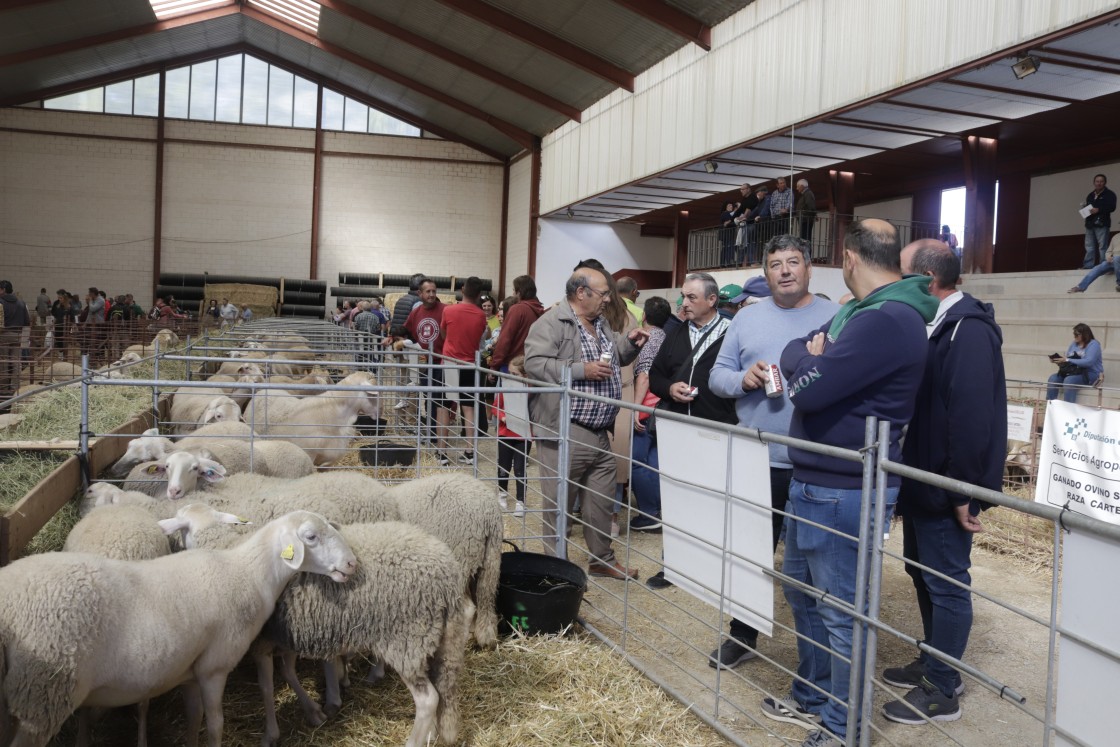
(755, 341)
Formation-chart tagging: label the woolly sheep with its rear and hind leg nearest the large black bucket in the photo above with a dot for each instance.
(461, 510)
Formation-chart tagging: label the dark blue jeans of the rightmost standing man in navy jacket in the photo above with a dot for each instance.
(940, 544)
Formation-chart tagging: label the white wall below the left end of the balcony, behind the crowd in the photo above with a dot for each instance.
(563, 244)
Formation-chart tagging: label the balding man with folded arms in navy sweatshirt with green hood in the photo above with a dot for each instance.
(867, 361)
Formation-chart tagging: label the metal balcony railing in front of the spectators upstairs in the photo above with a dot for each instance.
(717, 248)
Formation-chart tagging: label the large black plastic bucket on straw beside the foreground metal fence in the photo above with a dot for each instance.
(538, 593)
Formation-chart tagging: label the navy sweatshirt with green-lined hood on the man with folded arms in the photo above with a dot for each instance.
(873, 363)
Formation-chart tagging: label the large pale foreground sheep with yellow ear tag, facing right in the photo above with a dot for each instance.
(81, 631)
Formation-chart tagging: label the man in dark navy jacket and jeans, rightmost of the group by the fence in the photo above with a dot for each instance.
(959, 431)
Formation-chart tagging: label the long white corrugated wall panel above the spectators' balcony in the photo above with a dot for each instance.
(832, 53)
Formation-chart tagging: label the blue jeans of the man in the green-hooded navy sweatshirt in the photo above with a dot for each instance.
(827, 562)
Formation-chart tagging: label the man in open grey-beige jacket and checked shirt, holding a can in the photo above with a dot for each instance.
(575, 335)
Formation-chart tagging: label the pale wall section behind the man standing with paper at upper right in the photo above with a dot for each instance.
(1056, 200)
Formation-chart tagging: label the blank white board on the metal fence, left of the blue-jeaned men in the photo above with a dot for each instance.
(713, 541)
